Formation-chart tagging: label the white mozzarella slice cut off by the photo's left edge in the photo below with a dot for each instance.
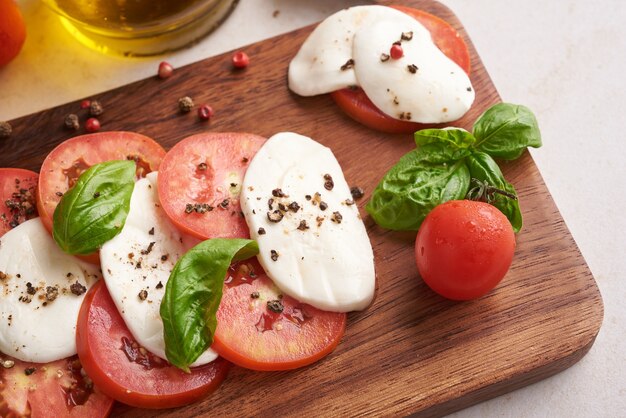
(42, 290)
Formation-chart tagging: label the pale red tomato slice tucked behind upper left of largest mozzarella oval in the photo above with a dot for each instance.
(200, 181)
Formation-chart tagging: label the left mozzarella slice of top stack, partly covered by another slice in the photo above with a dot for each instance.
(317, 67)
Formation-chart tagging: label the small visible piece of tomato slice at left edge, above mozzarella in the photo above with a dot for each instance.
(17, 188)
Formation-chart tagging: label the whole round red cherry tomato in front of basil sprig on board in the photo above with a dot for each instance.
(464, 248)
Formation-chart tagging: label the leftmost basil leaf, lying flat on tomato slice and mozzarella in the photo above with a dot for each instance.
(95, 209)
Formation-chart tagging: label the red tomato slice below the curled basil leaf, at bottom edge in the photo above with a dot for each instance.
(126, 372)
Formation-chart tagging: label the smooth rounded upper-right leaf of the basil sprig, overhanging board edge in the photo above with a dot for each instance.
(505, 130)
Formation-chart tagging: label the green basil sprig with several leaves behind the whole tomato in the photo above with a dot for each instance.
(445, 160)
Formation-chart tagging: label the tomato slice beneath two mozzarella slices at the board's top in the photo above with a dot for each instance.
(355, 103)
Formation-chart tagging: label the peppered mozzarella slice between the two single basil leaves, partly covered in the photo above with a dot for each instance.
(136, 265)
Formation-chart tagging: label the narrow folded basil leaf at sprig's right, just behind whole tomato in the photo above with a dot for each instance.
(484, 168)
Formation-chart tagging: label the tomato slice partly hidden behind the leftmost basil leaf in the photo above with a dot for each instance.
(71, 158)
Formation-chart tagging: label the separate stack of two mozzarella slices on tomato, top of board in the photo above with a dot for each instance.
(395, 69)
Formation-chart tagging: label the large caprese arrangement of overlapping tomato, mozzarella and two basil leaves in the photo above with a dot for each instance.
(137, 282)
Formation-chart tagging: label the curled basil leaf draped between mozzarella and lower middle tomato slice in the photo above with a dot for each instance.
(193, 294)
